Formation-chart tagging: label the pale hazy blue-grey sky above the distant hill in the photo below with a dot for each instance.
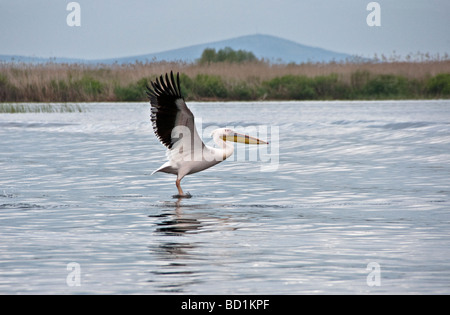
(113, 28)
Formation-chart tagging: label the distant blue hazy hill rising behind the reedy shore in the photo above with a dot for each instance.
(270, 48)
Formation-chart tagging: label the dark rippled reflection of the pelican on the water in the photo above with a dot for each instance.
(180, 262)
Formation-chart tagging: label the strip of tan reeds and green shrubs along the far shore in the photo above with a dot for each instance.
(227, 81)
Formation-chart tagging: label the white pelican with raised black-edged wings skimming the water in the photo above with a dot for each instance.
(174, 126)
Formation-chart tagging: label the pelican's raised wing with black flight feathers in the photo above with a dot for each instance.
(168, 111)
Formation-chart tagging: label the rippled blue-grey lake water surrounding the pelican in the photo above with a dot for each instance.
(355, 183)
